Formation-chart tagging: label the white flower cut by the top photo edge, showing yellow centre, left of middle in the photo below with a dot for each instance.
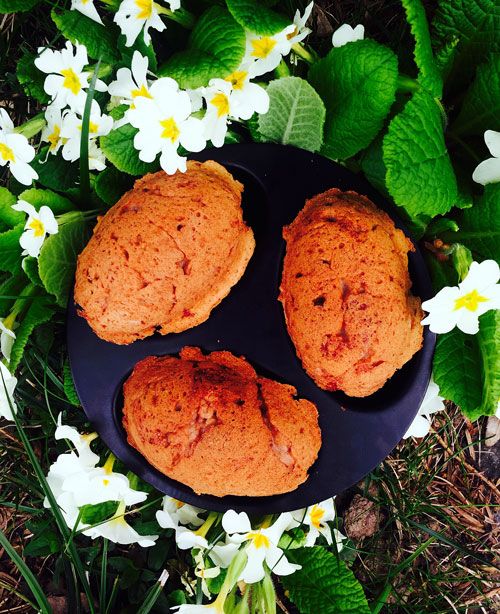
(135, 15)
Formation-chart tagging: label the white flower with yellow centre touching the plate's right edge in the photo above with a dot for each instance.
(463, 304)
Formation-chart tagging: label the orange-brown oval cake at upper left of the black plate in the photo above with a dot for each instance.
(164, 255)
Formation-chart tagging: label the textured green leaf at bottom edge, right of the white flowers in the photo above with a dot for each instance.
(324, 584)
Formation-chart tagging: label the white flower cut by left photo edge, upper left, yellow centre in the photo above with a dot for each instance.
(15, 151)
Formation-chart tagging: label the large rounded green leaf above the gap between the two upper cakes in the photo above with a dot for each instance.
(357, 83)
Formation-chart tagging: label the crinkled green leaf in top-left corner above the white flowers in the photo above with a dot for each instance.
(100, 41)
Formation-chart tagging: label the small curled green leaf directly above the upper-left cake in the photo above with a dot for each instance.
(118, 147)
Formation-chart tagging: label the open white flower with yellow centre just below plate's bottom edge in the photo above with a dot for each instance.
(262, 545)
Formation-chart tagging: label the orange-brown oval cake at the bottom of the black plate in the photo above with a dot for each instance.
(212, 423)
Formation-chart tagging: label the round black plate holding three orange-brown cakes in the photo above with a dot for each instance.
(357, 433)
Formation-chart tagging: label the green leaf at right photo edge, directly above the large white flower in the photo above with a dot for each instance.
(479, 226)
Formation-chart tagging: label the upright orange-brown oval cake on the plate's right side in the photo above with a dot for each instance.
(346, 295)
